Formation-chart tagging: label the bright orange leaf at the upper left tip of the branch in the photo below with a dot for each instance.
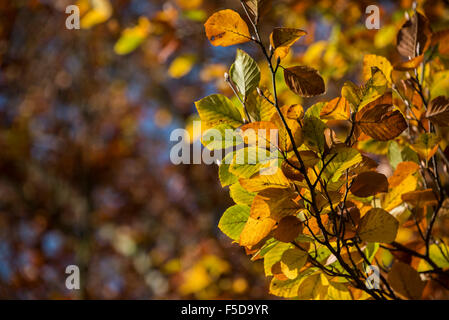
(226, 28)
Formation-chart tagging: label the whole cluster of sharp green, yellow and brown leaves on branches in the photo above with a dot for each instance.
(323, 211)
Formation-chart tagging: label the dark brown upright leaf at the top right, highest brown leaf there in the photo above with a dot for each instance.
(415, 33)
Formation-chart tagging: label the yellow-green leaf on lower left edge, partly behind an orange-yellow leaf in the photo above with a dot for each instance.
(233, 221)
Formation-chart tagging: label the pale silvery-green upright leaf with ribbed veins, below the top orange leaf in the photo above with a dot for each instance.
(245, 73)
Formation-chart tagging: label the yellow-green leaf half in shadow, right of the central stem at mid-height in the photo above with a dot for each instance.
(345, 158)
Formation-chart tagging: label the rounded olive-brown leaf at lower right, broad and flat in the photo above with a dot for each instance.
(377, 225)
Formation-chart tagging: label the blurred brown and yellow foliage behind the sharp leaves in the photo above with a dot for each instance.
(85, 120)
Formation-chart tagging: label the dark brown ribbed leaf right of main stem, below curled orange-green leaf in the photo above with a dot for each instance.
(304, 81)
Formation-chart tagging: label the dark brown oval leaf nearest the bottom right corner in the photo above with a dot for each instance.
(406, 281)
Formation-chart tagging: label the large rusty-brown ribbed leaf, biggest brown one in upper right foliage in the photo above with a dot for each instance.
(379, 121)
